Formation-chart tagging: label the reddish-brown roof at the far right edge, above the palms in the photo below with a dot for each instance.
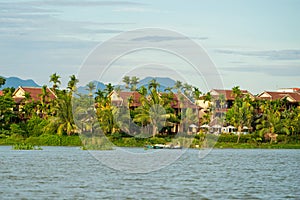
(292, 96)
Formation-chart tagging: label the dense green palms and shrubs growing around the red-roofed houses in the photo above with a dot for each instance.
(52, 122)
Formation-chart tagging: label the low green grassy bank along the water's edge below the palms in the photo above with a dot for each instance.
(199, 141)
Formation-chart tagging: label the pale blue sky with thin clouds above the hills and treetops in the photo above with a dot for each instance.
(254, 44)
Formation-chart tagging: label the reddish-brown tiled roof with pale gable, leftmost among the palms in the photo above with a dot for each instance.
(34, 93)
